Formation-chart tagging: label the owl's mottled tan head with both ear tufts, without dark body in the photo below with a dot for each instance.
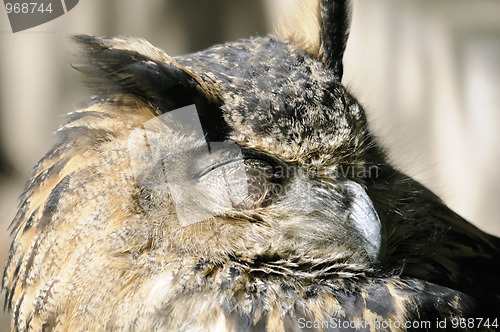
(249, 154)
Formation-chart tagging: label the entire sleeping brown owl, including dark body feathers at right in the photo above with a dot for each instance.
(236, 189)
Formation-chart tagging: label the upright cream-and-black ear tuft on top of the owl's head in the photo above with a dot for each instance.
(322, 31)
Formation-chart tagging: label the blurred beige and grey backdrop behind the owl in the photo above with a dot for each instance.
(426, 71)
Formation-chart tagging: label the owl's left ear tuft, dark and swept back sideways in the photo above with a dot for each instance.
(134, 66)
